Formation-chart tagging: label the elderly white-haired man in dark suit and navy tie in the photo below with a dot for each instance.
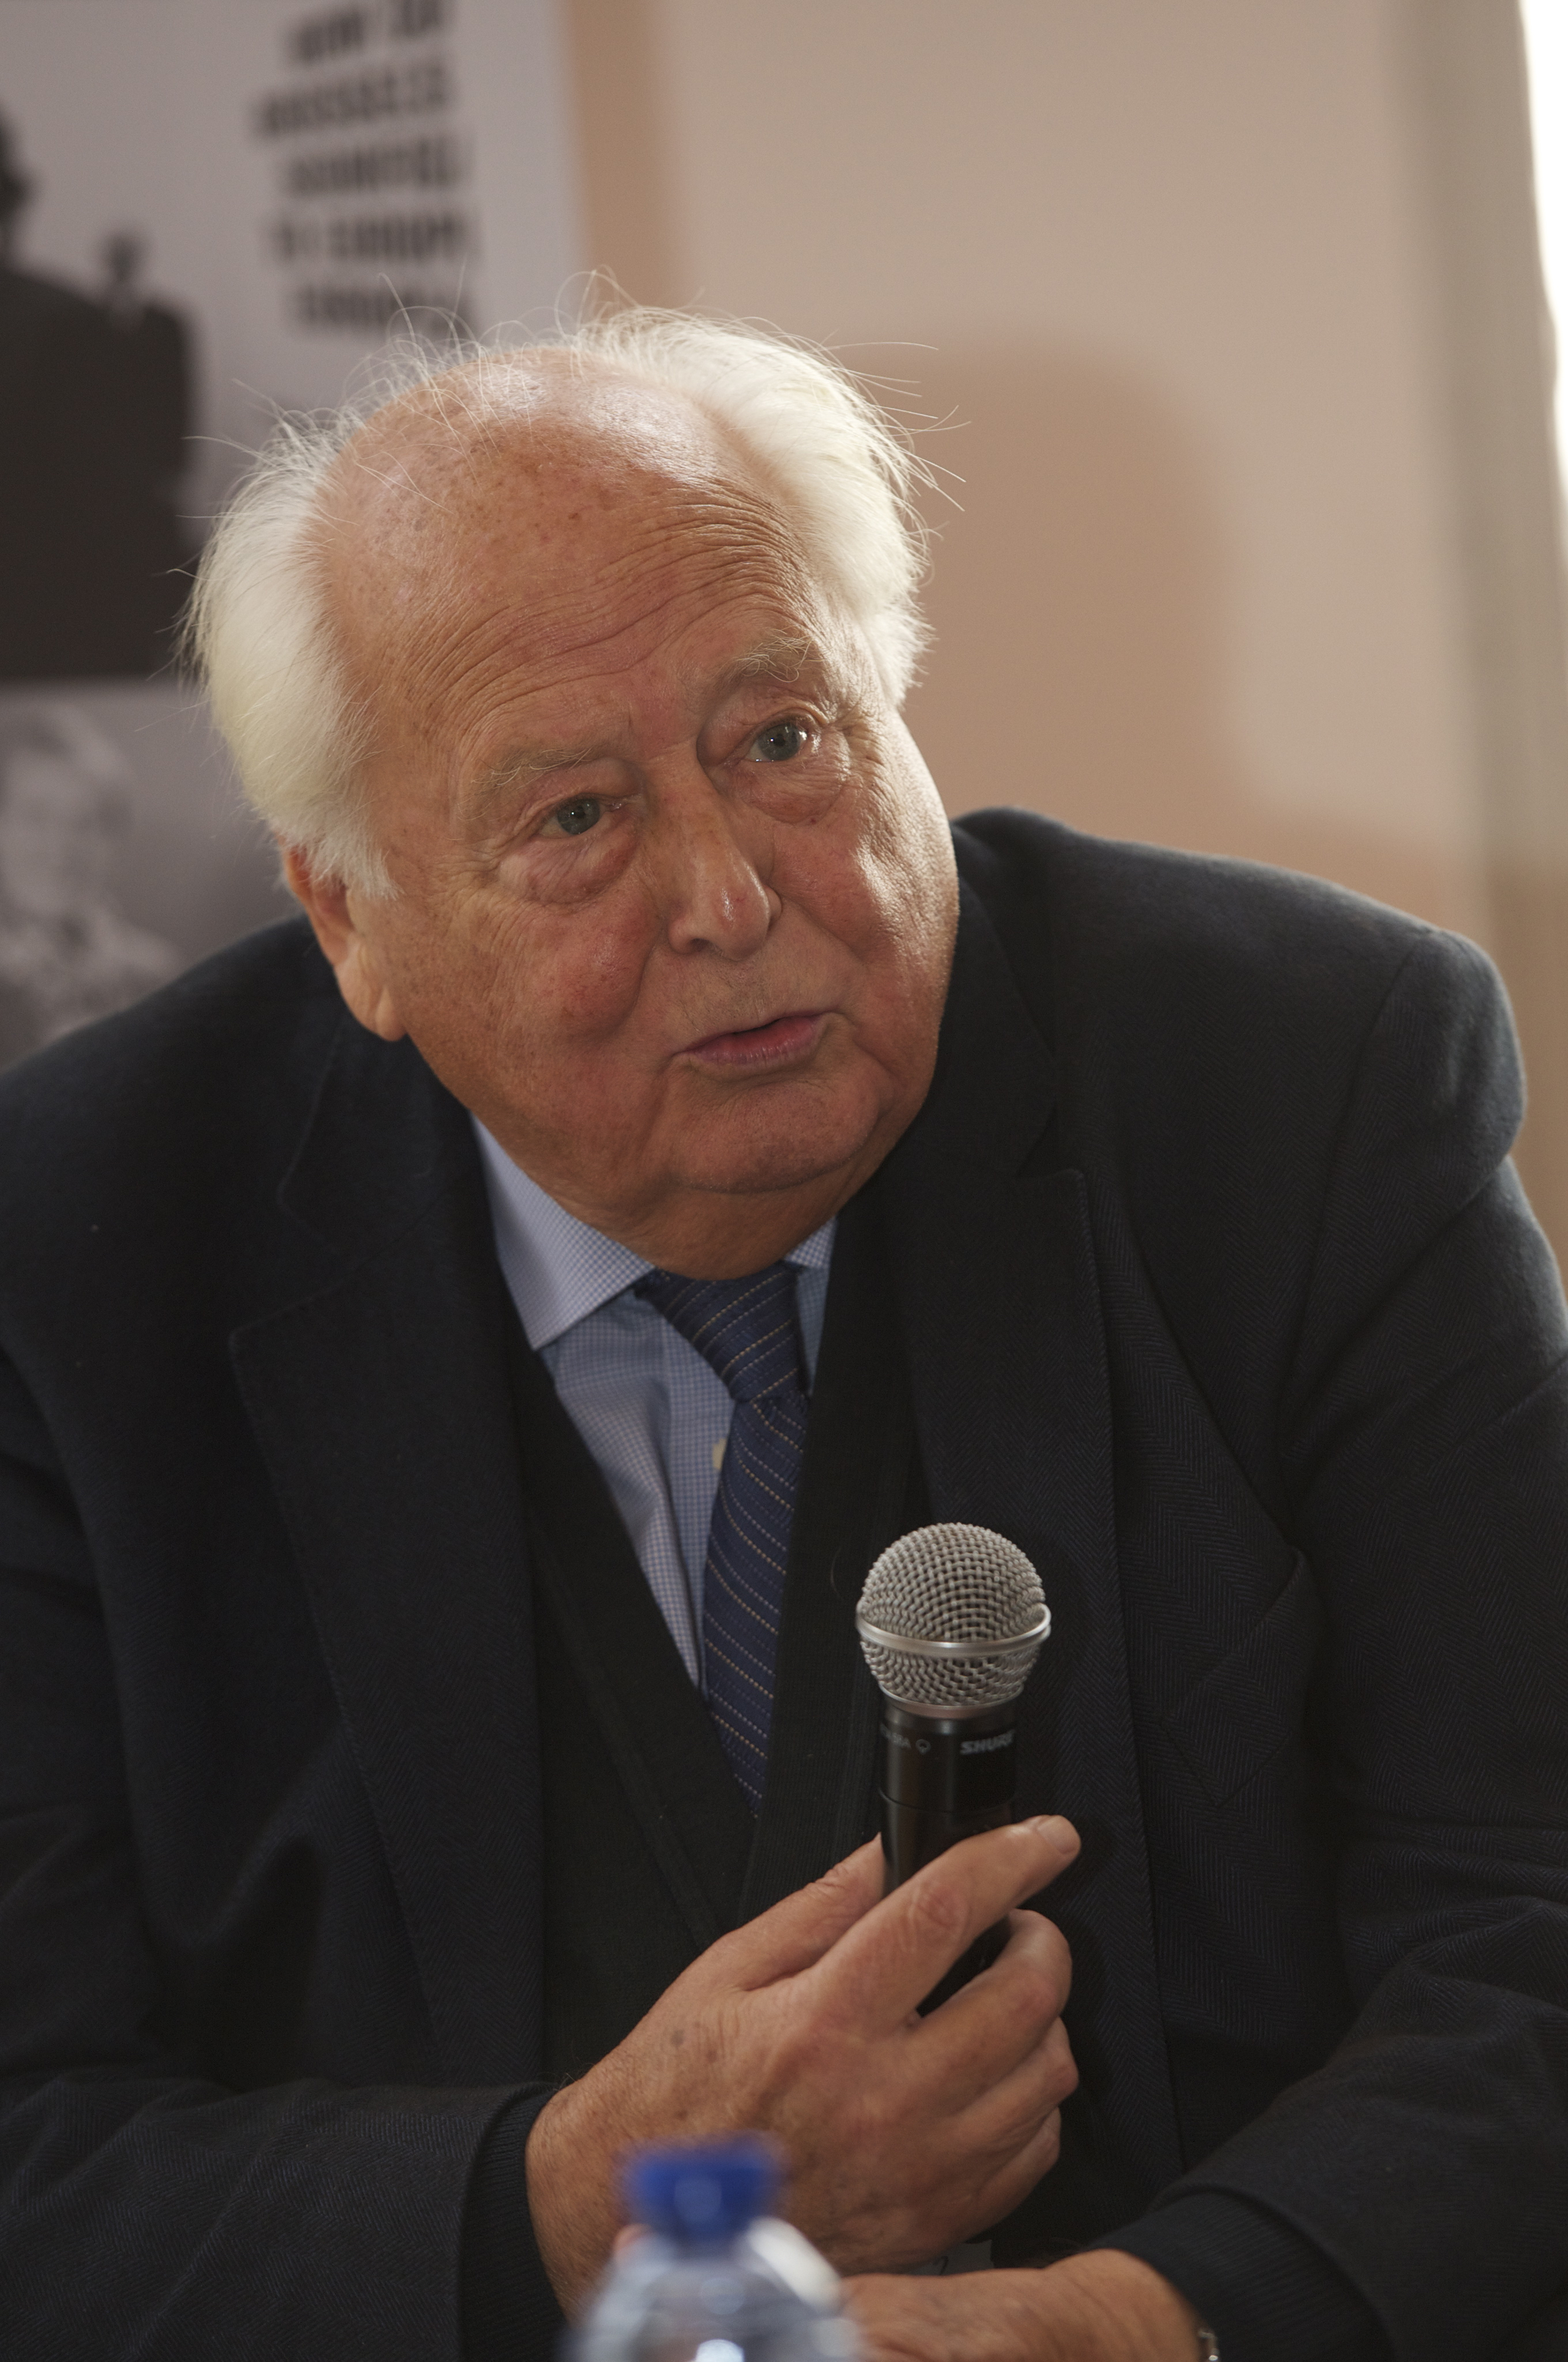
(436, 1759)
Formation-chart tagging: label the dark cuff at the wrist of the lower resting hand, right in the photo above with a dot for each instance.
(1262, 2288)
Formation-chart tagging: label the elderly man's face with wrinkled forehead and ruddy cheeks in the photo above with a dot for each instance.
(674, 892)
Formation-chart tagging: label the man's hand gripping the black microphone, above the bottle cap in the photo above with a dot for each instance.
(903, 2134)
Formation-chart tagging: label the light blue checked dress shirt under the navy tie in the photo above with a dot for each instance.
(648, 1407)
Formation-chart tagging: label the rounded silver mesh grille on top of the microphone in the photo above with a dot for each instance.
(953, 1584)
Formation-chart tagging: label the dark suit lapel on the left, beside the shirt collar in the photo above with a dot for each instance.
(384, 1416)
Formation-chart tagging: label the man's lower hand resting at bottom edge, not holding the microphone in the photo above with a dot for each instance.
(1090, 2309)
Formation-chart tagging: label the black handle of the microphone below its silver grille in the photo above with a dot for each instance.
(943, 1780)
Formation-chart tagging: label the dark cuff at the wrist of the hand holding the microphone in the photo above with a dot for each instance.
(509, 2304)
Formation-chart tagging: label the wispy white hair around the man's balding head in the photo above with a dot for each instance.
(261, 629)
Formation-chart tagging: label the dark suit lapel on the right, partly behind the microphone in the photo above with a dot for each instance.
(1007, 1364)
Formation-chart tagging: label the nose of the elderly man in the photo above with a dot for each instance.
(710, 861)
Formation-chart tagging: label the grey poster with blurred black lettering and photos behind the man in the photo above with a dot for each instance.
(209, 211)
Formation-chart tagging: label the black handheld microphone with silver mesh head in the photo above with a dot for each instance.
(950, 1624)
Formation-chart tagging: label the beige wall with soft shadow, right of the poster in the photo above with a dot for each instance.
(1170, 282)
